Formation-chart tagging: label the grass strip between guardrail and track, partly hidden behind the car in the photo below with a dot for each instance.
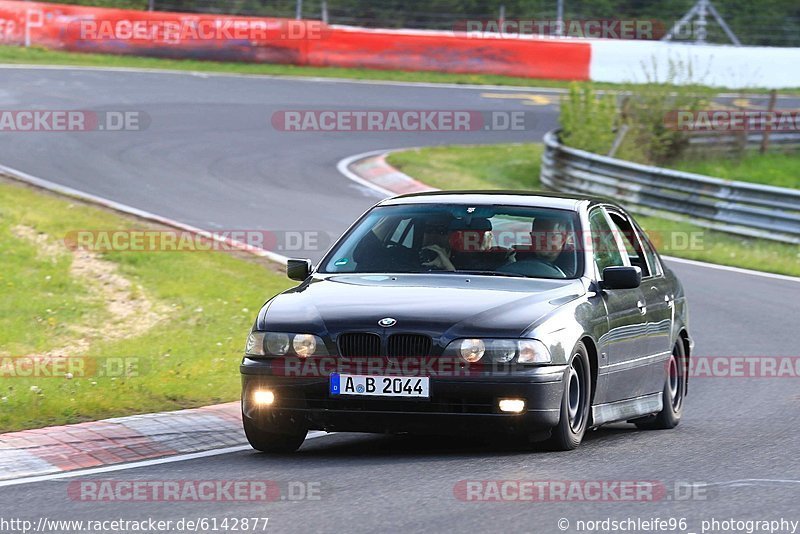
(516, 166)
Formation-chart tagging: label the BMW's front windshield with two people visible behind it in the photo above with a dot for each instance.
(492, 240)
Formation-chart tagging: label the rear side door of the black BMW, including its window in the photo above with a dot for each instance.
(657, 342)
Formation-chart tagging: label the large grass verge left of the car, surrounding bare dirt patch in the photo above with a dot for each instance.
(190, 358)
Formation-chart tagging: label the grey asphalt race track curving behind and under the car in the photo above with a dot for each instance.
(211, 159)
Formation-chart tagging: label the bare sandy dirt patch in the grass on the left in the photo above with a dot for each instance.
(131, 311)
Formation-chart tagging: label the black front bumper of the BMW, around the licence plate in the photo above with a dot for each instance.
(463, 405)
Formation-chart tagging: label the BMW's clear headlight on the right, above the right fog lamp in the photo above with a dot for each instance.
(499, 350)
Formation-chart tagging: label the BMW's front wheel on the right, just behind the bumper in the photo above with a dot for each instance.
(575, 402)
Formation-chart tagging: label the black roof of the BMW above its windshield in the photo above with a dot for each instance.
(537, 199)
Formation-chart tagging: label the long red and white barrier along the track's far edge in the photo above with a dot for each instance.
(285, 41)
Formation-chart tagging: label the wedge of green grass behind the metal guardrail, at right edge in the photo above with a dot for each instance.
(778, 169)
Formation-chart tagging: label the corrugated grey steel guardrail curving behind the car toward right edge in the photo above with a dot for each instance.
(736, 207)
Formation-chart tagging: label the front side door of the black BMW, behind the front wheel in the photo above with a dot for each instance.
(625, 374)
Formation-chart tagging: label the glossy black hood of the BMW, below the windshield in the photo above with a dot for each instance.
(447, 305)
